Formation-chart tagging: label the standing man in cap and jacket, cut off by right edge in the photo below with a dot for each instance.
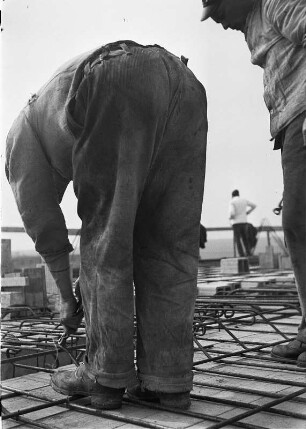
(275, 31)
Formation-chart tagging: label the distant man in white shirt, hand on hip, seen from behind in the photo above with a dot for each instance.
(238, 210)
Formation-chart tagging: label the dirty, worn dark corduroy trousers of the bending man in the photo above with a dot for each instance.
(139, 116)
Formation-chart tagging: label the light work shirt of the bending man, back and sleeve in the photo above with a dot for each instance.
(39, 162)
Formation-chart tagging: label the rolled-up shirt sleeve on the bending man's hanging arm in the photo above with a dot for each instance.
(34, 186)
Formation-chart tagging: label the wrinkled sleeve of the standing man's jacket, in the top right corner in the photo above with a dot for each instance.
(288, 18)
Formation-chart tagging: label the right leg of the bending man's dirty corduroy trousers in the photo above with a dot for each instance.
(166, 241)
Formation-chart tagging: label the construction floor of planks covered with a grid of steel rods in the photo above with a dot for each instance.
(236, 381)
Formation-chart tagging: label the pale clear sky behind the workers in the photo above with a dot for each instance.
(39, 35)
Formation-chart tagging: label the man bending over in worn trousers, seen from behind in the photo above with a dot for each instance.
(127, 123)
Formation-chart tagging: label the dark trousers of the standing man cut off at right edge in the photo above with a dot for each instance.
(294, 203)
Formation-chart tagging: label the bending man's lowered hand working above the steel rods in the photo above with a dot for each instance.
(71, 313)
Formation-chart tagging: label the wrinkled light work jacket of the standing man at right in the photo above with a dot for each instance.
(276, 35)
